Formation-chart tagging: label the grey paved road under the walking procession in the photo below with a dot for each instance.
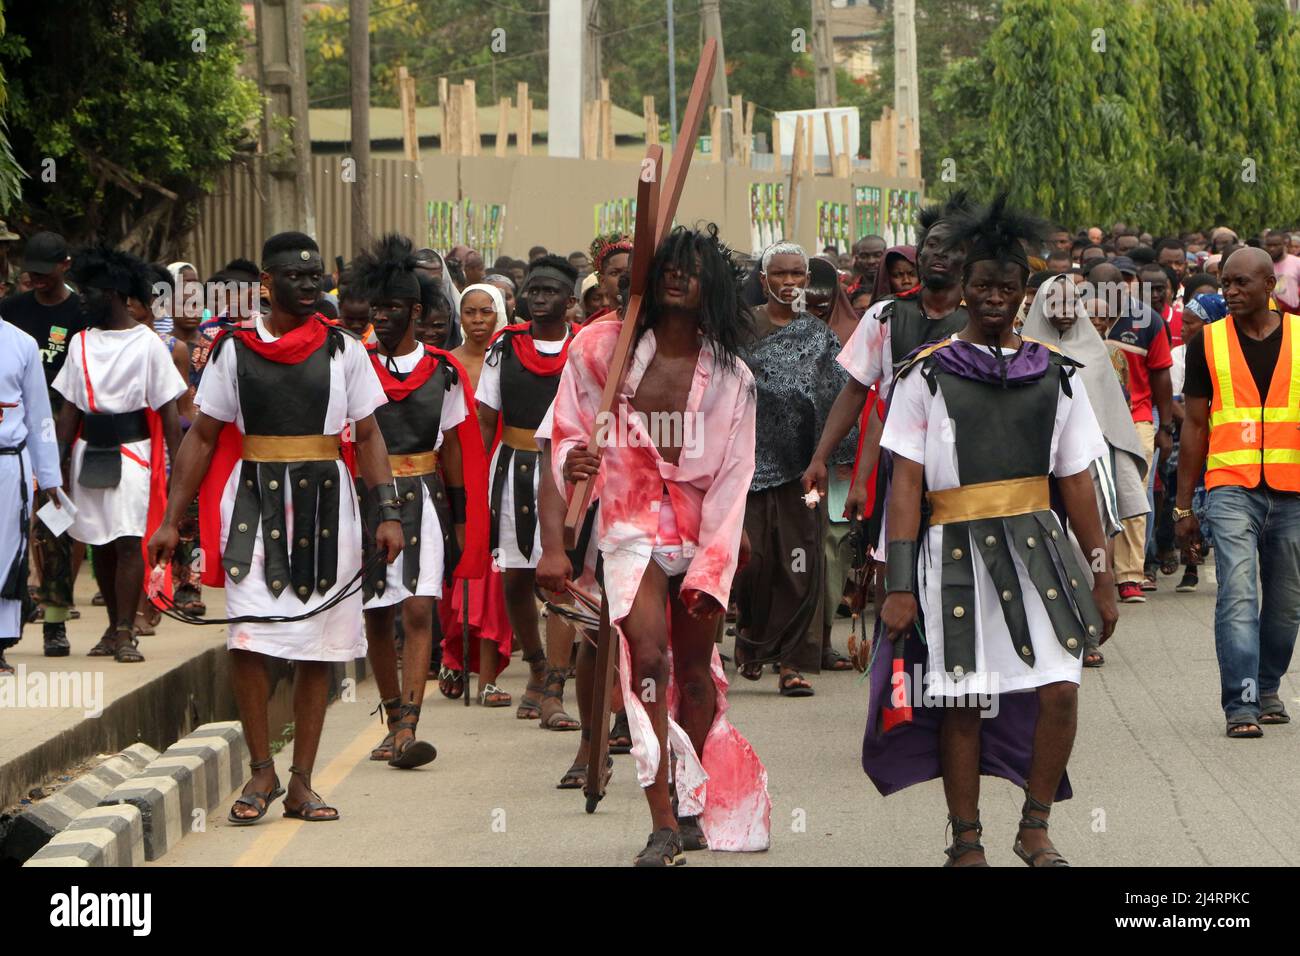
(1156, 781)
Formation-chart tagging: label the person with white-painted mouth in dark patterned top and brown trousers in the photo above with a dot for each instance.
(779, 600)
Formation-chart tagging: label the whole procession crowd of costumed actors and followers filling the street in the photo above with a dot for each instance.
(991, 438)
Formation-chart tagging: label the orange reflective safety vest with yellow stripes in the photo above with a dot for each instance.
(1250, 439)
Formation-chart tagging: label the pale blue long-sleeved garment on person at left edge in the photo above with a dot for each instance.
(23, 384)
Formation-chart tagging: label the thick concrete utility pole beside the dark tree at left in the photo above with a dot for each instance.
(285, 136)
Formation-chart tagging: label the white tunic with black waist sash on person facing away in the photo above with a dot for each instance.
(129, 370)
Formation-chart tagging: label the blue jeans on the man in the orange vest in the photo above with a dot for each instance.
(1258, 611)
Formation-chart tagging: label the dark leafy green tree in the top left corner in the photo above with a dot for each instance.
(125, 114)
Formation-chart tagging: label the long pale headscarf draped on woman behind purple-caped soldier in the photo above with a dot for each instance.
(1082, 344)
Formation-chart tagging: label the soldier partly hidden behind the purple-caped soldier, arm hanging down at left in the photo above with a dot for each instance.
(890, 331)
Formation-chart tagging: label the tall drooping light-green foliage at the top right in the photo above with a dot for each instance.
(1168, 114)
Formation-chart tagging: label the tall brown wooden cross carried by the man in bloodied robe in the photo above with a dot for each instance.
(656, 211)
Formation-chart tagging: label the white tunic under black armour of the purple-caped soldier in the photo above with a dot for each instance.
(918, 429)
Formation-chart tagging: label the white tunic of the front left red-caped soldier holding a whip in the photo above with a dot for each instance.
(337, 634)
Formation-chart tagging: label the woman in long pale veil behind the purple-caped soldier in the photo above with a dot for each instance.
(1059, 318)
